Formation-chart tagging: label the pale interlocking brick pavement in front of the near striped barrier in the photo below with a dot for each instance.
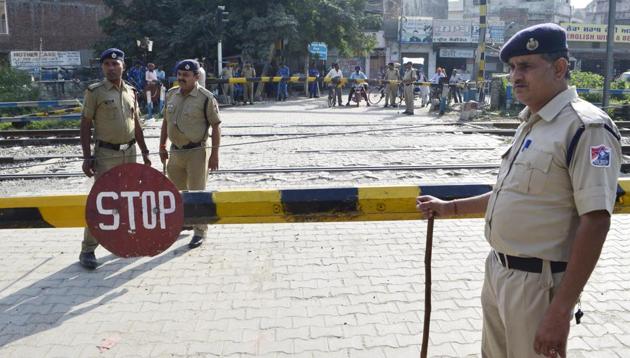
(286, 290)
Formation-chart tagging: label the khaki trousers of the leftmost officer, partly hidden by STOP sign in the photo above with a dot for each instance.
(104, 160)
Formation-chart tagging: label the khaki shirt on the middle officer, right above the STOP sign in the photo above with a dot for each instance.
(185, 116)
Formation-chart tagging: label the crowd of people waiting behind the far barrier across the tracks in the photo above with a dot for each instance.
(152, 82)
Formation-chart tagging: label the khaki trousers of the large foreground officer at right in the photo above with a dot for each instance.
(514, 303)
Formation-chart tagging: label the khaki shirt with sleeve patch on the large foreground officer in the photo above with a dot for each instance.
(535, 205)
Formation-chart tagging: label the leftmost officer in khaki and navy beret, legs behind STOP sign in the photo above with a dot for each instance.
(111, 107)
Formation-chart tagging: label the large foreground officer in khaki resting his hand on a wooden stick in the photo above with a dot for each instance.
(548, 214)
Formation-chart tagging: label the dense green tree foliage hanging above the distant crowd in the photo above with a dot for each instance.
(186, 28)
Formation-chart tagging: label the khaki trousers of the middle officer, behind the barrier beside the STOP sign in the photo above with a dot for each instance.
(188, 170)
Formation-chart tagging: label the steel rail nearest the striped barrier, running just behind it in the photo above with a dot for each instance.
(625, 168)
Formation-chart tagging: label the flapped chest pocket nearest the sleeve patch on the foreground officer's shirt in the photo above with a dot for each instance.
(531, 171)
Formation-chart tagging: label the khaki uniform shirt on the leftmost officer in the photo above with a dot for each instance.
(112, 111)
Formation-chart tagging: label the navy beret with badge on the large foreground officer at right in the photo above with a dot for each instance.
(541, 38)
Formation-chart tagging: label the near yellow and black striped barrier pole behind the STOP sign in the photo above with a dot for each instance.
(266, 206)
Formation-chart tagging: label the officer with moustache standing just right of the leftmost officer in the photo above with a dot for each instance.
(190, 111)
